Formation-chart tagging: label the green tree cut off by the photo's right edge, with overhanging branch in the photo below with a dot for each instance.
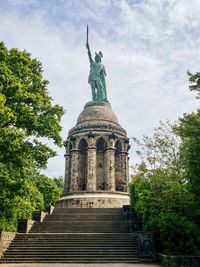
(189, 131)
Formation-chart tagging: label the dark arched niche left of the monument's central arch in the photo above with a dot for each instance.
(82, 165)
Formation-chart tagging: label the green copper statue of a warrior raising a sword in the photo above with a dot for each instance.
(97, 75)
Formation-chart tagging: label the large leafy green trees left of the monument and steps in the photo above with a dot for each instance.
(26, 115)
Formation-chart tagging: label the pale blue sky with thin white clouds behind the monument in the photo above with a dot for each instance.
(147, 45)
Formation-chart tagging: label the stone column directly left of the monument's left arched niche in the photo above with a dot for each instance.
(74, 171)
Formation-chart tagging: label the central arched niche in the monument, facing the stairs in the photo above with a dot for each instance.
(101, 146)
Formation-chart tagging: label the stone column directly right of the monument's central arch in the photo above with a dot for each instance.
(110, 168)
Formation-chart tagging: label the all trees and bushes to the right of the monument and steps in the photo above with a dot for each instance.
(165, 188)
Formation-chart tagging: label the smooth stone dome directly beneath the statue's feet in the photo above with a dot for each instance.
(96, 111)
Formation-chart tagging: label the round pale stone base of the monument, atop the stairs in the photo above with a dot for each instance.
(94, 200)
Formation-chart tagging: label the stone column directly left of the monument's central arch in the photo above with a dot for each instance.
(91, 171)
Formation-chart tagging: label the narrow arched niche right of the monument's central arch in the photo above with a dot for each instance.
(118, 167)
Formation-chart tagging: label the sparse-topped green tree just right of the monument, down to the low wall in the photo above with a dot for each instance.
(161, 195)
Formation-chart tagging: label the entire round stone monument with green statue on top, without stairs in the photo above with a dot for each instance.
(96, 159)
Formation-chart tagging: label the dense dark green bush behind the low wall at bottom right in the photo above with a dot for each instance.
(175, 234)
